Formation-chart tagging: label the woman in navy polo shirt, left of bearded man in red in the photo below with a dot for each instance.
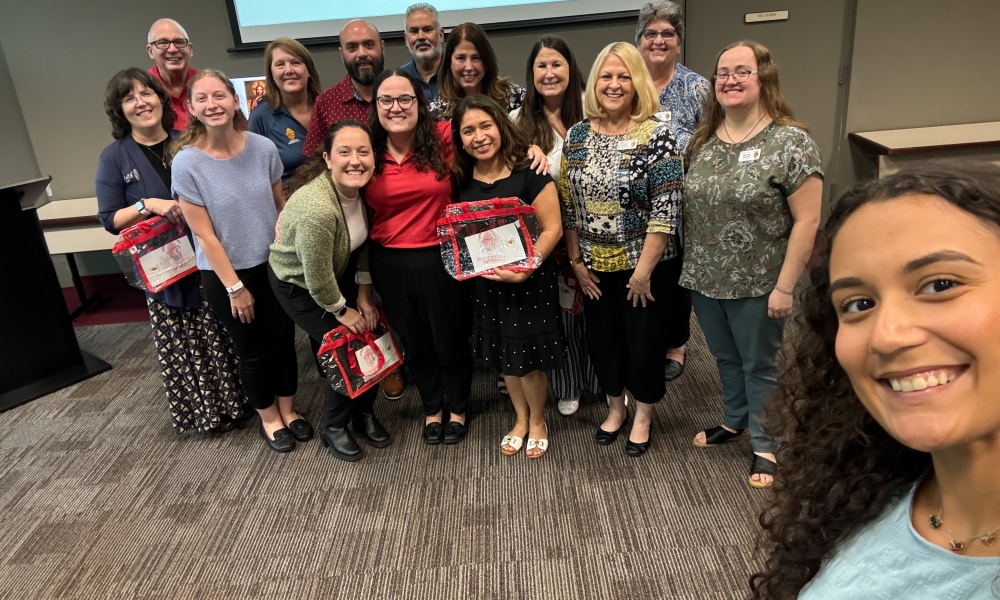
(283, 115)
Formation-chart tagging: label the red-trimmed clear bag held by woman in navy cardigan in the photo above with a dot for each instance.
(154, 254)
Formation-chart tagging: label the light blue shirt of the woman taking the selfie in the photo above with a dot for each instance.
(889, 560)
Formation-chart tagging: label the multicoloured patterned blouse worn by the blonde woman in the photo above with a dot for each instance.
(614, 189)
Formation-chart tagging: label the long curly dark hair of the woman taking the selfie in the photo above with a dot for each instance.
(839, 467)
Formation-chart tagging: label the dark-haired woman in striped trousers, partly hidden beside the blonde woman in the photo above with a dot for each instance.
(552, 104)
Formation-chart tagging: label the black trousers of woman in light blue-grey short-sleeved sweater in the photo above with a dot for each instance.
(266, 345)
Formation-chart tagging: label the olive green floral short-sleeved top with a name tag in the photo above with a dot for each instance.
(736, 215)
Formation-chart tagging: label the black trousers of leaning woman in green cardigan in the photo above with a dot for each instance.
(338, 409)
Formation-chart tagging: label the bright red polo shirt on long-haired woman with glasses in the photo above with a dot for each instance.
(407, 202)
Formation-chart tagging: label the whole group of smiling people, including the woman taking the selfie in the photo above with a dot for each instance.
(656, 191)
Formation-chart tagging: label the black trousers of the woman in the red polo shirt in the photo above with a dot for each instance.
(432, 312)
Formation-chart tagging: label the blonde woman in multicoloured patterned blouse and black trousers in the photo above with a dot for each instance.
(621, 191)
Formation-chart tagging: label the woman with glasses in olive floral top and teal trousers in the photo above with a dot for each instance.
(752, 206)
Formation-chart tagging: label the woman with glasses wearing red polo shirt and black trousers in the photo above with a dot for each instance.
(426, 306)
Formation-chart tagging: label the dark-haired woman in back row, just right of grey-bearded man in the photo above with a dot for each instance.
(470, 66)
